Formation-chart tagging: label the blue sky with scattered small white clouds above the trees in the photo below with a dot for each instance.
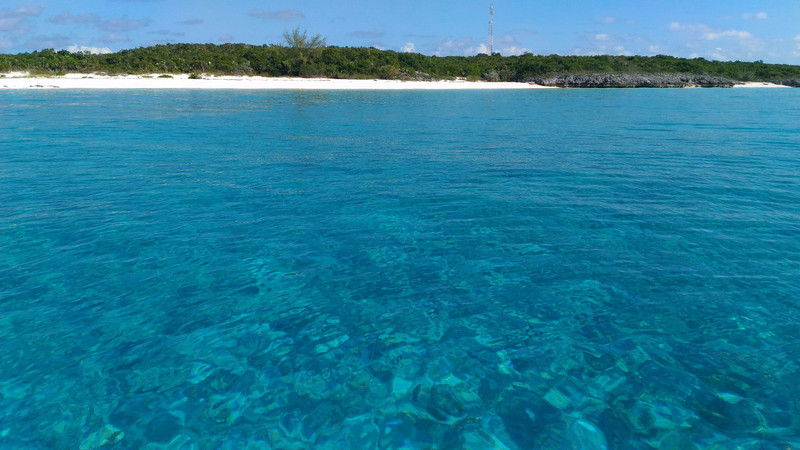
(767, 30)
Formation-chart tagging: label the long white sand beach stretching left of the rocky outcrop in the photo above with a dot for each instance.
(22, 80)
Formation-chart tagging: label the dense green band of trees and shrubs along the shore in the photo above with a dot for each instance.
(350, 62)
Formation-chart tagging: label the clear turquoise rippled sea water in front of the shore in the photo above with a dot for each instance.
(564, 269)
